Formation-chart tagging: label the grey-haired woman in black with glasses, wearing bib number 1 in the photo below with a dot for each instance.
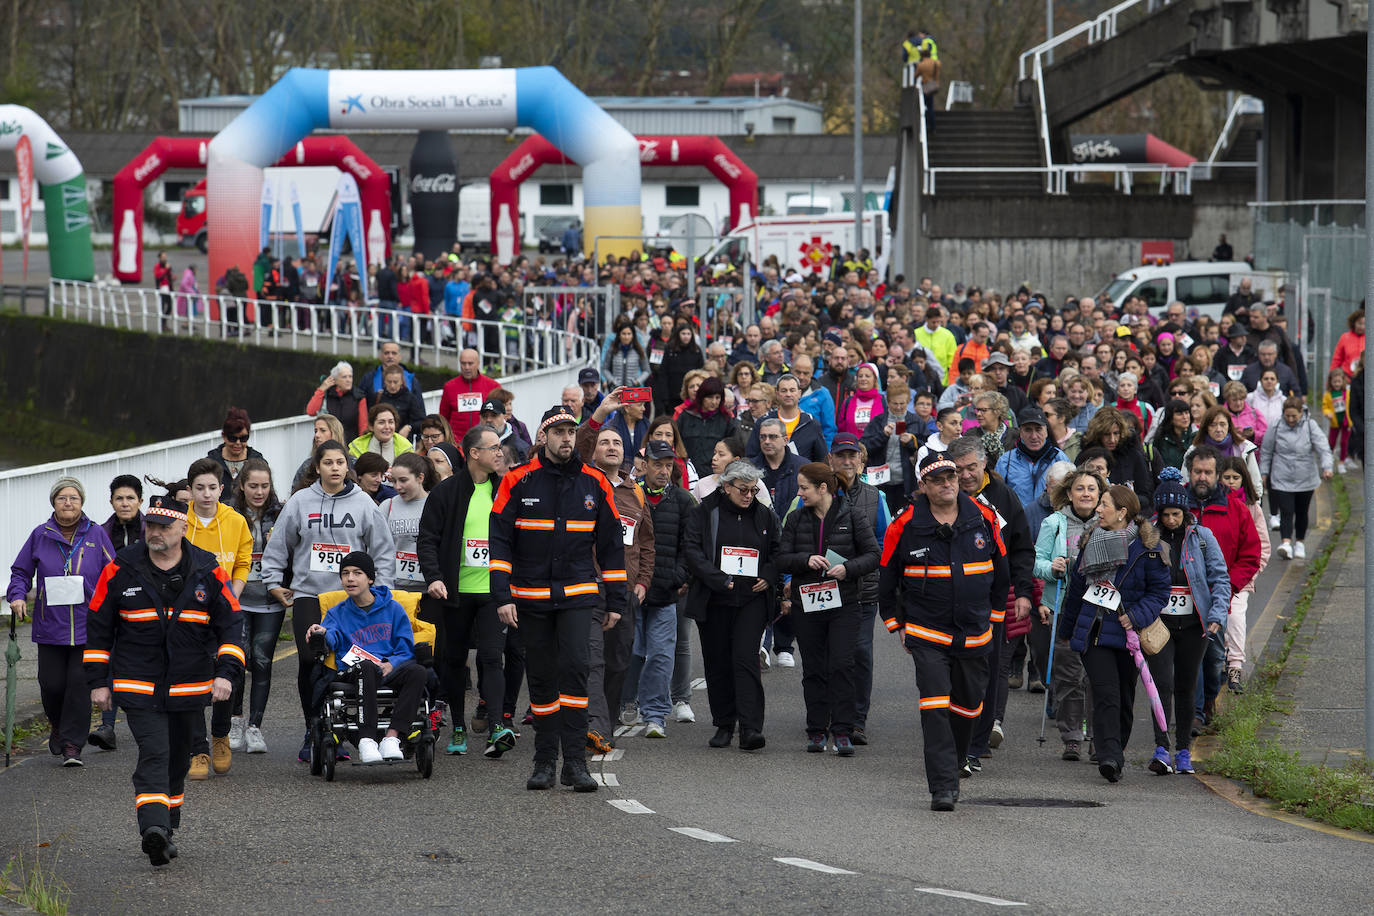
(732, 546)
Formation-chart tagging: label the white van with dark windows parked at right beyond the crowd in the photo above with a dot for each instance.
(1203, 286)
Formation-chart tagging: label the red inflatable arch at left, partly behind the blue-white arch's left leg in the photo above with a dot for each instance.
(192, 153)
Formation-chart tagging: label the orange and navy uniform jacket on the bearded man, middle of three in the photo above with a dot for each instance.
(553, 527)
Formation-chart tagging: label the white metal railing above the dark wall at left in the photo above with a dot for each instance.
(428, 340)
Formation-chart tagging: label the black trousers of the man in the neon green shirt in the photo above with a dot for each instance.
(462, 624)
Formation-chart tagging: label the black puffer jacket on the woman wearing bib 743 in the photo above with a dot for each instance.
(847, 532)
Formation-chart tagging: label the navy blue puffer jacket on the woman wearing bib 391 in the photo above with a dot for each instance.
(1144, 582)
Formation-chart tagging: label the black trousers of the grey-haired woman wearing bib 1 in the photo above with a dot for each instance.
(730, 654)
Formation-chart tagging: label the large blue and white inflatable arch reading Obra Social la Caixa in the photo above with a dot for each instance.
(304, 100)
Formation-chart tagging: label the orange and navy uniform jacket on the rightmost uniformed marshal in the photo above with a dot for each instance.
(939, 586)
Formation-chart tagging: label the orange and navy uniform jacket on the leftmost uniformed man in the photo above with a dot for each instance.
(163, 659)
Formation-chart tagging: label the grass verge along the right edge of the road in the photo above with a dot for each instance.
(1340, 797)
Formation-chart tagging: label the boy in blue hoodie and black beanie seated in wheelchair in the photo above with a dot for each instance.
(372, 639)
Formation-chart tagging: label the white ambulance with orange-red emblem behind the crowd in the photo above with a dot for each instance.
(807, 244)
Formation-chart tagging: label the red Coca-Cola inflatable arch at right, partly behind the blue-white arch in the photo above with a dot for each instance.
(656, 152)
